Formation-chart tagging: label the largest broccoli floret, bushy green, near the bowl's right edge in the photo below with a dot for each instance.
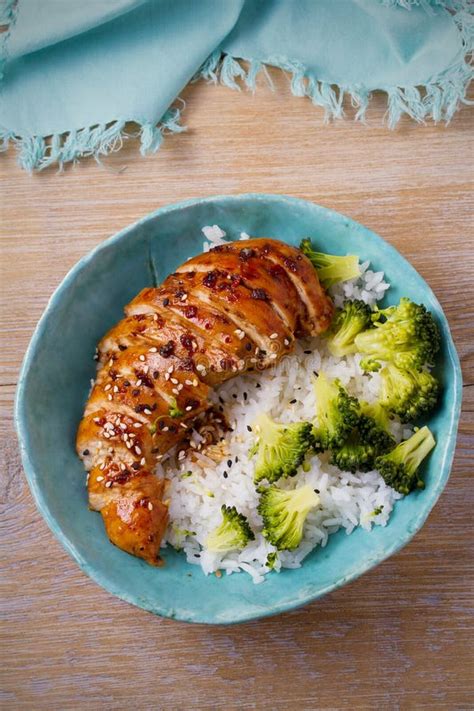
(405, 335)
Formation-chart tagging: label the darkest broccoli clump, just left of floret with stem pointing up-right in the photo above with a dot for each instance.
(370, 438)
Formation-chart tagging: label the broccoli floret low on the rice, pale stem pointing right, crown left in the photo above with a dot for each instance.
(284, 514)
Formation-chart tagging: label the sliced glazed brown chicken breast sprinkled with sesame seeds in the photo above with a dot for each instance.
(236, 308)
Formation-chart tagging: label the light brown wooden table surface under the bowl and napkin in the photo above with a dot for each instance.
(398, 638)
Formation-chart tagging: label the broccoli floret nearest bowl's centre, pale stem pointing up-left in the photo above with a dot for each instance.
(280, 448)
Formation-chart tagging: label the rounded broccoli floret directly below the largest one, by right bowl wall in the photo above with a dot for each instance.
(408, 393)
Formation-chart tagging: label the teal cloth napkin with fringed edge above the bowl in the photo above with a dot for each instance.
(73, 74)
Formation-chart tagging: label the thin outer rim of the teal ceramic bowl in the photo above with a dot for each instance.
(289, 604)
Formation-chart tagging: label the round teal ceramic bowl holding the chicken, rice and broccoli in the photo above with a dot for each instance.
(54, 383)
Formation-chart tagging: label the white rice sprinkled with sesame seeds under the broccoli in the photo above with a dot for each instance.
(346, 500)
